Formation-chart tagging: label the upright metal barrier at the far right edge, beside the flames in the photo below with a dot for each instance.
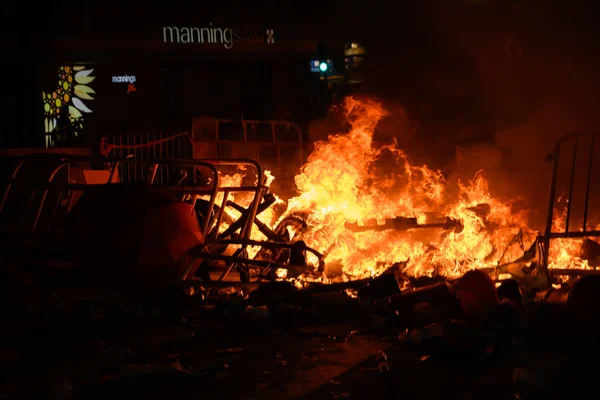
(574, 197)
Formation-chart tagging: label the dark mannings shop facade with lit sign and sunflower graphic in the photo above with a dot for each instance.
(119, 71)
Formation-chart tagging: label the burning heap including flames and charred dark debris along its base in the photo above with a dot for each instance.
(370, 225)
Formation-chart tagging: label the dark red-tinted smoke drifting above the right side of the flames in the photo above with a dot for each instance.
(492, 87)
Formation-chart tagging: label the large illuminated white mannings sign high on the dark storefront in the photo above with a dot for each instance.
(214, 35)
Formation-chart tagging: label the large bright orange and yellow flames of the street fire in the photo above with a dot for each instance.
(350, 187)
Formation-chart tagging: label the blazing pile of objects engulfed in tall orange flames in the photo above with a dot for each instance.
(363, 208)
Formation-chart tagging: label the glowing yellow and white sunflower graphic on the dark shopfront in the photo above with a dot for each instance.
(72, 90)
